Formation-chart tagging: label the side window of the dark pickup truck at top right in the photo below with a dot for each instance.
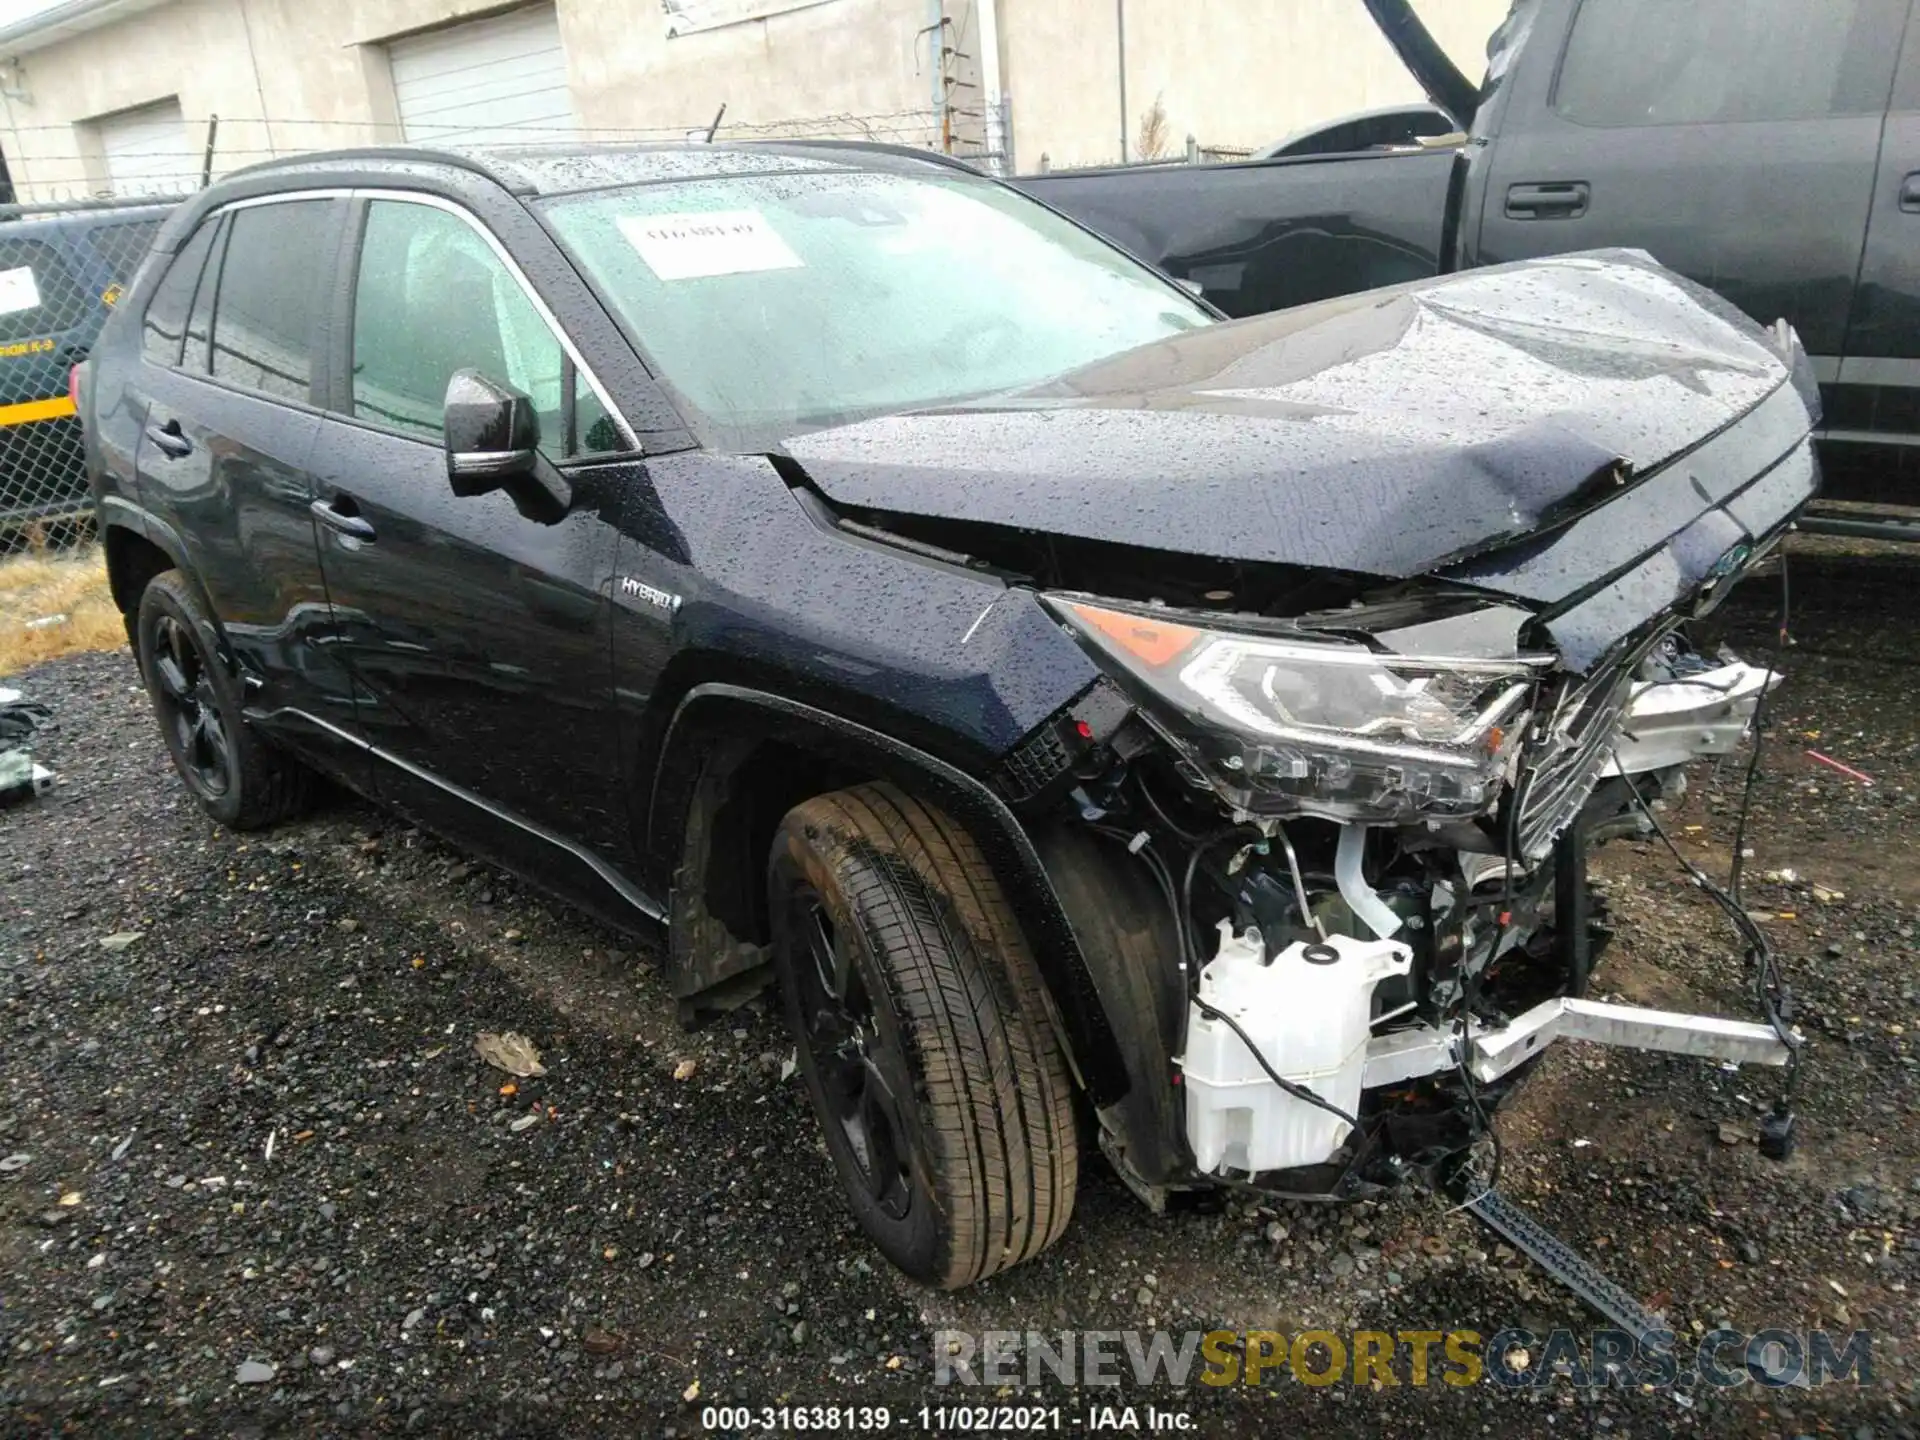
(1712, 62)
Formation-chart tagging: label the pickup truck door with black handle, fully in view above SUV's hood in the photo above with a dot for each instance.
(1733, 139)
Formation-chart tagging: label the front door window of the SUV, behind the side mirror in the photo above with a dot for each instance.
(433, 299)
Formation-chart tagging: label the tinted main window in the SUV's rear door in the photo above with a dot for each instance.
(270, 295)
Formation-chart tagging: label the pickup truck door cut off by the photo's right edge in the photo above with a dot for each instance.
(1879, 393)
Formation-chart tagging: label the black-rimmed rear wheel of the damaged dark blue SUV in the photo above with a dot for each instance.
(233, 773)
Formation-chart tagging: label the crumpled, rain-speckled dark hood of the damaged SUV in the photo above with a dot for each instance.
(1391, 433)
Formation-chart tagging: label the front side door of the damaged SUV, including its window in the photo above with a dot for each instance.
(477, 627)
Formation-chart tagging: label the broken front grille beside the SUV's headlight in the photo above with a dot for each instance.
(1564, 761)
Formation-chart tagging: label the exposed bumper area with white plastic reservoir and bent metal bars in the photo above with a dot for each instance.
(1416, 1055)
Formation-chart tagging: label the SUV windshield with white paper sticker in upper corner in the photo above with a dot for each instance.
(790, 302)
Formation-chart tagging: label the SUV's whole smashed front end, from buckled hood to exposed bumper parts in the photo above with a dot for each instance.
(1391, 600)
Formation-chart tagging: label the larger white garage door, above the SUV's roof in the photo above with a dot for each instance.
(492, 80)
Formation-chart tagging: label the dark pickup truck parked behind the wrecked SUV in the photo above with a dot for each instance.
(1767, 149)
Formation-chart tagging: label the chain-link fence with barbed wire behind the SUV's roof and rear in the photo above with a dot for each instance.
(76, 237)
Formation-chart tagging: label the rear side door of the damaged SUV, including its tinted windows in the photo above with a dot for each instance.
(224, 458)
